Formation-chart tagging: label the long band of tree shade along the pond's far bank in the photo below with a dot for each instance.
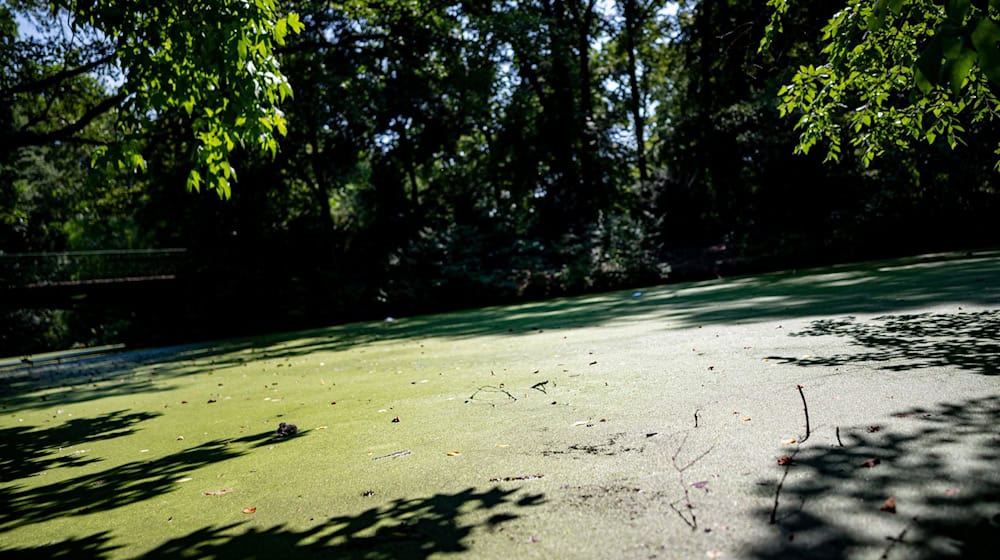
(874, 287)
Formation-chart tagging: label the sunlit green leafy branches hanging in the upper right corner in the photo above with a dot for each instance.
(896, 72)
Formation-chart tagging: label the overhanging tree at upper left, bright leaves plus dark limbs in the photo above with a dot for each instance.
(210, 60)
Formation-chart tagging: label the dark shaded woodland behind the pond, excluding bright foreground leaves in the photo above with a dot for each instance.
(444, 154)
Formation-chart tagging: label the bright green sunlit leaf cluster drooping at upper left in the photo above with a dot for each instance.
(211, 60)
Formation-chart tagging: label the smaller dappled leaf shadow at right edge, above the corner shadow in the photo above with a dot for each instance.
(967, 341)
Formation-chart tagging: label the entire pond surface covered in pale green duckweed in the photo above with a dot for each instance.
(642, 423)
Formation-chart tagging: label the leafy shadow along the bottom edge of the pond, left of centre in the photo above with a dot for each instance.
(401, 529)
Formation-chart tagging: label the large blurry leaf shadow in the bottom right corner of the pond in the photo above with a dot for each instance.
(959, 500)
